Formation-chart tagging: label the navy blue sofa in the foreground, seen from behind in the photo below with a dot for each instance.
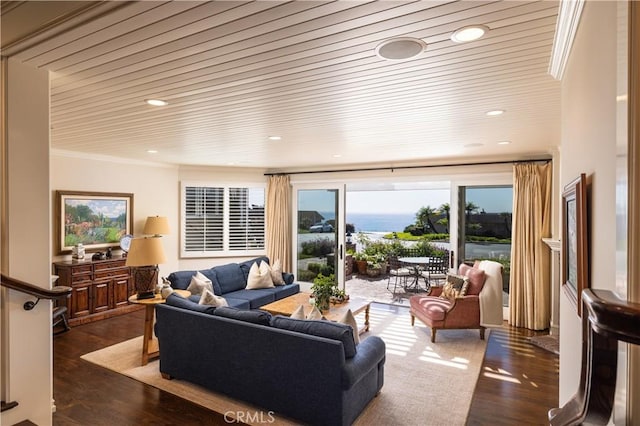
(250, 356)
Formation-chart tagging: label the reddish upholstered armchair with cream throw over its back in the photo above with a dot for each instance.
(479, 308)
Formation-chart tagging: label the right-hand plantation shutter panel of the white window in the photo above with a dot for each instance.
(246, 219)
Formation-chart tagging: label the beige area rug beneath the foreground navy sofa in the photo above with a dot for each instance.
(425, 383)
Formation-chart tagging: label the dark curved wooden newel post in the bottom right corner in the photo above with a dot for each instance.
(606, 319)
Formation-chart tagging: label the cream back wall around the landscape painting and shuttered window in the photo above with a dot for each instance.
(155, 188)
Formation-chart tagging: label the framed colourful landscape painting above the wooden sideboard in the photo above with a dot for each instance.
(98, 220)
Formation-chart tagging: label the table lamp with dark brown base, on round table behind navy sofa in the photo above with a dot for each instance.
(144, 256)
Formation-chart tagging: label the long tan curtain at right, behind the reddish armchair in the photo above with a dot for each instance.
(530, 289)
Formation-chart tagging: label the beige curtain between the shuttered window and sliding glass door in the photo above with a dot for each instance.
(279, 220)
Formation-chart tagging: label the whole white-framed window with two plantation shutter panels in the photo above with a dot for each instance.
(222, 220)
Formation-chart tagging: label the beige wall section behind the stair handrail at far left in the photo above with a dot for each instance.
(27, 334)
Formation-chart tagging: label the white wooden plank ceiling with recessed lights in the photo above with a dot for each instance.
(235, 73)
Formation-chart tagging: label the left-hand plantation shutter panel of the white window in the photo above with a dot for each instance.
(204, 219)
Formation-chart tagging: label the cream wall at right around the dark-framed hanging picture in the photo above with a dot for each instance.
(588, 145)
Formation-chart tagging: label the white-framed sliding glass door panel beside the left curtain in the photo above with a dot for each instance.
(319, 232)
